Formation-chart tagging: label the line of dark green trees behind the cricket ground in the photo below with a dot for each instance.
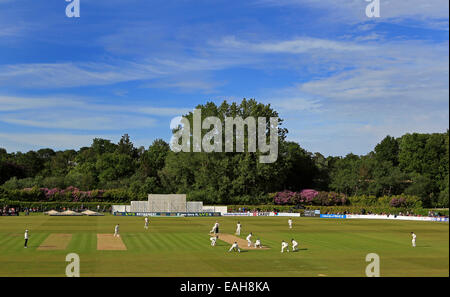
(413, 164)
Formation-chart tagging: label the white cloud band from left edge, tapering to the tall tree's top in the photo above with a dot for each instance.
(72, 113)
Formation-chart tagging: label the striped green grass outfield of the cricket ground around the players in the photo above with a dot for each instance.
(181, 247)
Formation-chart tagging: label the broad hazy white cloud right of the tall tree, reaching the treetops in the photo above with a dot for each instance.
(391, 88)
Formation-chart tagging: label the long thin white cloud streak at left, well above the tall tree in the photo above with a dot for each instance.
(63, 75)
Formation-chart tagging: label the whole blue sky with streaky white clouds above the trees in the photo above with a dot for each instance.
(342, 81)
